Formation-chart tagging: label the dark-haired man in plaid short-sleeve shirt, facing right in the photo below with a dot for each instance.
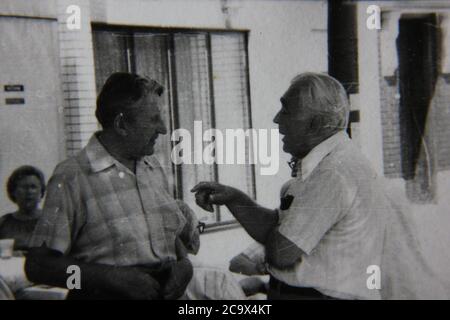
(109, 210)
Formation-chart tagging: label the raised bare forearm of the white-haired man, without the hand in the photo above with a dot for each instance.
(256, 220)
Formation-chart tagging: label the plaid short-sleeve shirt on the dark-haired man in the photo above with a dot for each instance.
(97, 210)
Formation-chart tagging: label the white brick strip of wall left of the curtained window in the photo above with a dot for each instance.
(77, 74)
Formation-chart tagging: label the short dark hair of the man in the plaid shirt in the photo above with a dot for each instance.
(120, 92)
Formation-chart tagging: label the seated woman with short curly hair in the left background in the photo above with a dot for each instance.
(26, 187)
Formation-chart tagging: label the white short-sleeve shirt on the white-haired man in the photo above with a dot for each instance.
(336, 219)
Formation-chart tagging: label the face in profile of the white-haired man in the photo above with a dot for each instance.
(294, 123)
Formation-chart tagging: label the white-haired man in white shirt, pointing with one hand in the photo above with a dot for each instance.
(329, 227)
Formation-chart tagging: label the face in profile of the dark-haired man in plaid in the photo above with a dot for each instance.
(146, 126)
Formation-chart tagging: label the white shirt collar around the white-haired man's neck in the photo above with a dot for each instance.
(319, 152)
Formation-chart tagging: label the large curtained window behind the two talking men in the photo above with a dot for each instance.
(207, 80)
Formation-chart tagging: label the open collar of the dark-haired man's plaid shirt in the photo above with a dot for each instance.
(100, 159)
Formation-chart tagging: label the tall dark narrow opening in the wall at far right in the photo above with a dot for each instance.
(417, 47)
